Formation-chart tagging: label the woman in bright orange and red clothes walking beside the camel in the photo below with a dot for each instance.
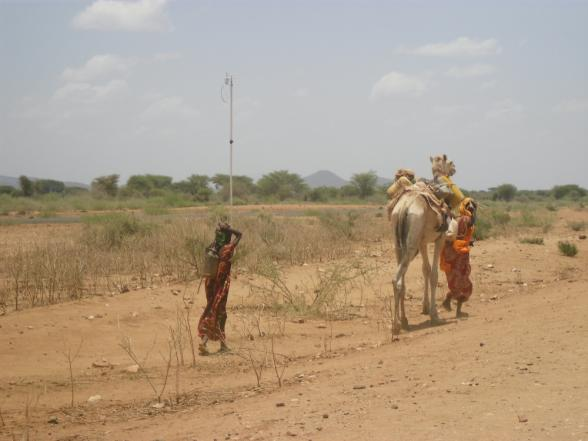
(455, 256)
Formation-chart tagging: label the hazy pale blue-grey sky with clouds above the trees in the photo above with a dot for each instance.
(97, 87)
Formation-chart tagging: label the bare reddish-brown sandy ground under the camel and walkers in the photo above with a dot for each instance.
(516, 369)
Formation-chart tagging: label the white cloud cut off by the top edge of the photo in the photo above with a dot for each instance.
(117, 15)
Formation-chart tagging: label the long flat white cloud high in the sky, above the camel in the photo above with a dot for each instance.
(462, 46)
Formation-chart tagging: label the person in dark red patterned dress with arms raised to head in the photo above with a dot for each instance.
(211, 325)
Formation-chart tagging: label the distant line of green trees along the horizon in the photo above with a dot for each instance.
(280, 185)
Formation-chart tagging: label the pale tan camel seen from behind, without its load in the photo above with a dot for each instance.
(415, 224)
